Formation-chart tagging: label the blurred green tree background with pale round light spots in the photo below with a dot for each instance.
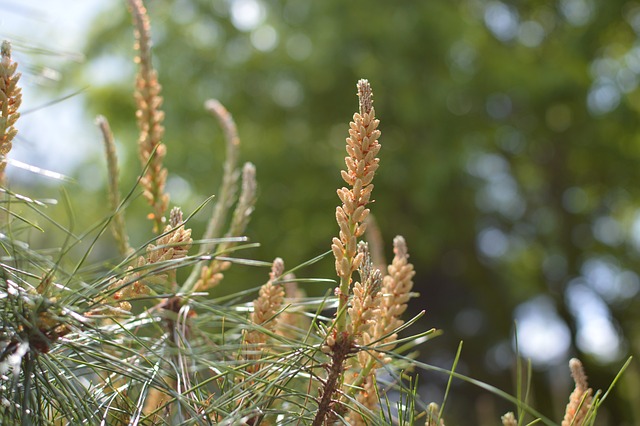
(510, 159)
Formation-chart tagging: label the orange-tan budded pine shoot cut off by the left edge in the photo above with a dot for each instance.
(10, 100)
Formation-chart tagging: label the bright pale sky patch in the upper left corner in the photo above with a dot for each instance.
(56, 137)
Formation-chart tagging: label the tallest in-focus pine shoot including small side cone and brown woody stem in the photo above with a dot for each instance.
(362, 162)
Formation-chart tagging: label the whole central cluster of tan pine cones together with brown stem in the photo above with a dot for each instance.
(368, 310)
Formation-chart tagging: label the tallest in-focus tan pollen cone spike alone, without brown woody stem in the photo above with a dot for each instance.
(362, 162)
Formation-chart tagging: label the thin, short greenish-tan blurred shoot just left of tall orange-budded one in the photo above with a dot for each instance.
(118, 225)
